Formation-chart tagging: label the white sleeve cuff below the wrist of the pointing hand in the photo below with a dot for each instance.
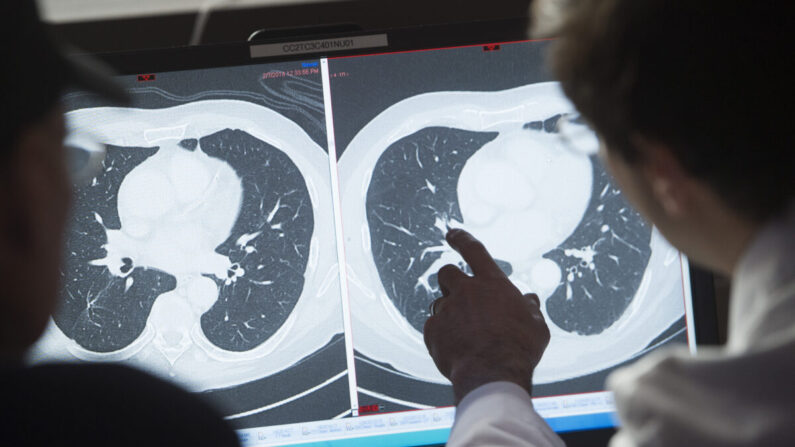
(500, 414)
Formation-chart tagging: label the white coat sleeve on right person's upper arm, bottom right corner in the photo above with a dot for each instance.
(714, 400)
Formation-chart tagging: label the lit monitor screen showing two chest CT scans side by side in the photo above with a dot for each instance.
(208, 248)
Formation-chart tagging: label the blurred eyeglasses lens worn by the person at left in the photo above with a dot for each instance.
(85, 153)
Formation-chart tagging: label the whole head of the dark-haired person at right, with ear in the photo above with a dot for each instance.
(691, 101)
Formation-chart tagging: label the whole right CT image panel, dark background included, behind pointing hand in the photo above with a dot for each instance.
(485, 142)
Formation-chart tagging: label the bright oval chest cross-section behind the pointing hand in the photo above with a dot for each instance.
(492, 163)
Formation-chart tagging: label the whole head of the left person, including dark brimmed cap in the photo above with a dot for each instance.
(34, 182)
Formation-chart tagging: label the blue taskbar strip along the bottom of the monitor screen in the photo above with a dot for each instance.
(439, 436)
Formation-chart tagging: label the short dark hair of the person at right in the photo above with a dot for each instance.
(711, 80)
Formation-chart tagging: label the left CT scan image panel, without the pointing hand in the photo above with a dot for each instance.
(201, 251)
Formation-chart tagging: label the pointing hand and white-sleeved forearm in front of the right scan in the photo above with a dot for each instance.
(486, 337)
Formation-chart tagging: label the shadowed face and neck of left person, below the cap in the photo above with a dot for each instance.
(34, 203)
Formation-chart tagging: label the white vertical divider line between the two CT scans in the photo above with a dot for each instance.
(335, 194)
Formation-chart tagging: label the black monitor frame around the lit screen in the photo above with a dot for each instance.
(400, 39)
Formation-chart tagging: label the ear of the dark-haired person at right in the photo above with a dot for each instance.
(669, 183)
